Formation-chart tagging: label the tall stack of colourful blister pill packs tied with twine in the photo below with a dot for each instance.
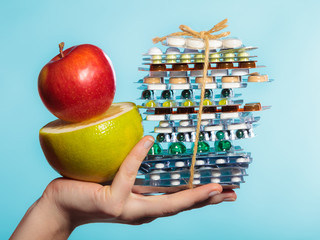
(170, 98)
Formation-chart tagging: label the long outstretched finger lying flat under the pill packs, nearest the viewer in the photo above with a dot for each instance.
(167, 205)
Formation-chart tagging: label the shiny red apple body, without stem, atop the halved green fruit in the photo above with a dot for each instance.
(79, 86)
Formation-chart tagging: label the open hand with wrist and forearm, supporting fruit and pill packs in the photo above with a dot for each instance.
(68, 203)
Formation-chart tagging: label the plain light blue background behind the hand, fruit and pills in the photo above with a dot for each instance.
(280, 198)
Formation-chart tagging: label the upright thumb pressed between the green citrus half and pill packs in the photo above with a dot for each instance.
(124, 180)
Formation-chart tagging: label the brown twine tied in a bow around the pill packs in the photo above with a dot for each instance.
(206, 36)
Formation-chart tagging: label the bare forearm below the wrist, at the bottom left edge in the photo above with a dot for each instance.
(43, 220)
